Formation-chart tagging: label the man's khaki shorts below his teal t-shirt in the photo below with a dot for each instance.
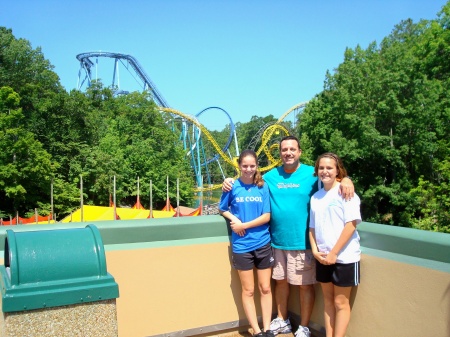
(298, 267)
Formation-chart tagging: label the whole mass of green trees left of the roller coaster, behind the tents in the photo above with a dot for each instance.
(47, 133)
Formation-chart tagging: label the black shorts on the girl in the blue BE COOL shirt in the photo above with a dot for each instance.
(261, 258)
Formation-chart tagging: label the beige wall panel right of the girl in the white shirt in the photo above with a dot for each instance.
(400, 299)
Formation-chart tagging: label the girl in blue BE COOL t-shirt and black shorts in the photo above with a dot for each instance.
(247, 207)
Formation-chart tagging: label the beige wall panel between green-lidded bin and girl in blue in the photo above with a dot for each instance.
(174, 288)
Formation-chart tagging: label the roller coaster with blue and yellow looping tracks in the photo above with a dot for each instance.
(191, 132)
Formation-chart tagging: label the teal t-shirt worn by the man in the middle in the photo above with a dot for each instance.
(290, 195)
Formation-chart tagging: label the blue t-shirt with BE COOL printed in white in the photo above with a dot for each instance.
(247, 202)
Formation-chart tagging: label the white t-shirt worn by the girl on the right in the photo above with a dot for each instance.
(329, 214)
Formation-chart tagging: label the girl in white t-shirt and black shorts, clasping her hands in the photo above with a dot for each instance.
(334, 243)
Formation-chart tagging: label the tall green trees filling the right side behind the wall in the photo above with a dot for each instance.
(385, 111)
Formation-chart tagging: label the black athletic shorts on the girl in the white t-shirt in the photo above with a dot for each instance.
(340, 274)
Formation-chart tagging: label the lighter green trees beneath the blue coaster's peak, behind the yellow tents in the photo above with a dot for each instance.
(130, 139)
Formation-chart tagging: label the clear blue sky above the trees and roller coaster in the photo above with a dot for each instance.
(247, 57)
